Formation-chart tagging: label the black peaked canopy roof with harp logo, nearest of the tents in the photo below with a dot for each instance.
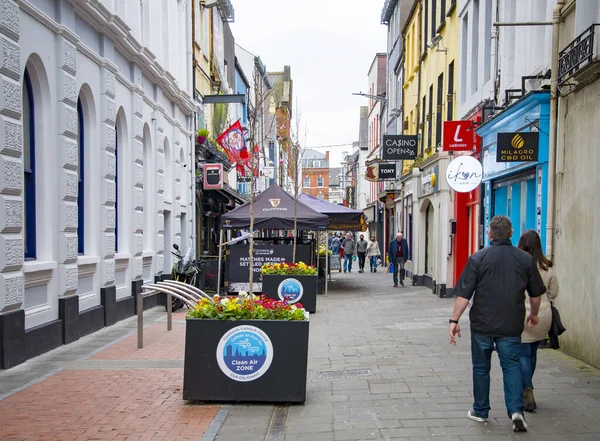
(274, 209)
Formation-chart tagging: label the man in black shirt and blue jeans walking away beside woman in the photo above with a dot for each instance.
(499, 274)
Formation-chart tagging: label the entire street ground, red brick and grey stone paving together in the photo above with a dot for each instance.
(380, 367)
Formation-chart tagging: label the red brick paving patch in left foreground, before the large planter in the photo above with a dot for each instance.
(72, 405)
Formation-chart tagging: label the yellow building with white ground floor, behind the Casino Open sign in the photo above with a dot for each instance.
(431, 42)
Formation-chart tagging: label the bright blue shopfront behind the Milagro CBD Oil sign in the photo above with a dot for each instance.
(517, 190)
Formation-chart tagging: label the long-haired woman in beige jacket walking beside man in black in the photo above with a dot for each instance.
(531, 337)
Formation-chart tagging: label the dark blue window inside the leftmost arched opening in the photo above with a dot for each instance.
(29, 175)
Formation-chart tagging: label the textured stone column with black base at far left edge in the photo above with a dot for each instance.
(12, 316)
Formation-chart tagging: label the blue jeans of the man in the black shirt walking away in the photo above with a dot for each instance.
(509, 352)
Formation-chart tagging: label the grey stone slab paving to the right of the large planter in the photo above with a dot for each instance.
(381, 367)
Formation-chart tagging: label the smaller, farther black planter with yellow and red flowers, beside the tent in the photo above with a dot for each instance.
(292, 282)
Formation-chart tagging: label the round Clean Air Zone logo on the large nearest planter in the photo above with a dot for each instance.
(244, 353)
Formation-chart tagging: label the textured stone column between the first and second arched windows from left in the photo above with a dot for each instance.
(67, 178)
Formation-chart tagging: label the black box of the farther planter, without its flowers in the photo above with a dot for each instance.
(302, 289)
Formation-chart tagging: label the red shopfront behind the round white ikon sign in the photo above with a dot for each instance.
(467, 209)
